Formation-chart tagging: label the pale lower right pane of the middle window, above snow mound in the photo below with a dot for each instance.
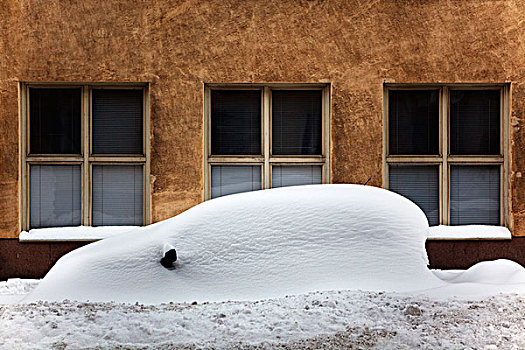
(294, 175)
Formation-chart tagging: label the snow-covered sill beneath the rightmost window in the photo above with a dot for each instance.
(469, 232)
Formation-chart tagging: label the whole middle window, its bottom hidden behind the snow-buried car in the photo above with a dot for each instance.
(264, 136)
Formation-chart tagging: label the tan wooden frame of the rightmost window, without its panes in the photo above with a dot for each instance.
(444, 159)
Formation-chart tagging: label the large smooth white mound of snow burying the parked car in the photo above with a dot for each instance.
(257, 245)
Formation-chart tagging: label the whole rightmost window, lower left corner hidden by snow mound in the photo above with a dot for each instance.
(446, 151)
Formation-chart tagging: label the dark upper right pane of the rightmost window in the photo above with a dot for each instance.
(474, 122)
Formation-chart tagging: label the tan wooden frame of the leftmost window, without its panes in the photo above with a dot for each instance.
(85, 159)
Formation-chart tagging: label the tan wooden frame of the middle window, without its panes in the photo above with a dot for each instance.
(266, 160)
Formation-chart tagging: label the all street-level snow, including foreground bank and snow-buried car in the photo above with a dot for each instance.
(336, 266)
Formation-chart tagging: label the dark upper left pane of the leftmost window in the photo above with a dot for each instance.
(54, 121)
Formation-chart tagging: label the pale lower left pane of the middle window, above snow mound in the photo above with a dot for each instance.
(229, 179)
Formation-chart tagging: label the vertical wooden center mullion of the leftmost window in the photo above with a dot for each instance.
(86, 178)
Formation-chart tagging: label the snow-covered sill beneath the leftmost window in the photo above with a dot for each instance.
(73, 234)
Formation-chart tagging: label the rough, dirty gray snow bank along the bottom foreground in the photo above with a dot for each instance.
(323, 320)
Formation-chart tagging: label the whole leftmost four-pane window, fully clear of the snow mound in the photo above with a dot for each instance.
(84, 155)
